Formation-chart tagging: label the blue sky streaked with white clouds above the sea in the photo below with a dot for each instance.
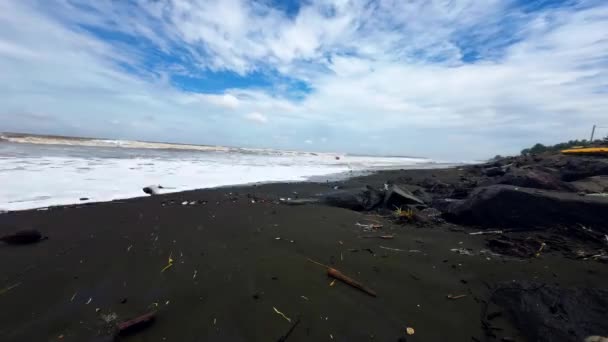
(446, 79)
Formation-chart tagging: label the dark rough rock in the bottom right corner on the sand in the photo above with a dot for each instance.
(546, 313)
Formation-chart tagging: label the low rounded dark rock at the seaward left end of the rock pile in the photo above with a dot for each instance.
(354, 199)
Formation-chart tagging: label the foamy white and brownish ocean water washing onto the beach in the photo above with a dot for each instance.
(41, 171)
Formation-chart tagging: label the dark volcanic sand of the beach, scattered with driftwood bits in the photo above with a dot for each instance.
(109, 252)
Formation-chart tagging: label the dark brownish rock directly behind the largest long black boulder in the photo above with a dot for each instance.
(531, 178)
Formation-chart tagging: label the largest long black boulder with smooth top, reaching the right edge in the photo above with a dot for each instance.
(519, 208)
